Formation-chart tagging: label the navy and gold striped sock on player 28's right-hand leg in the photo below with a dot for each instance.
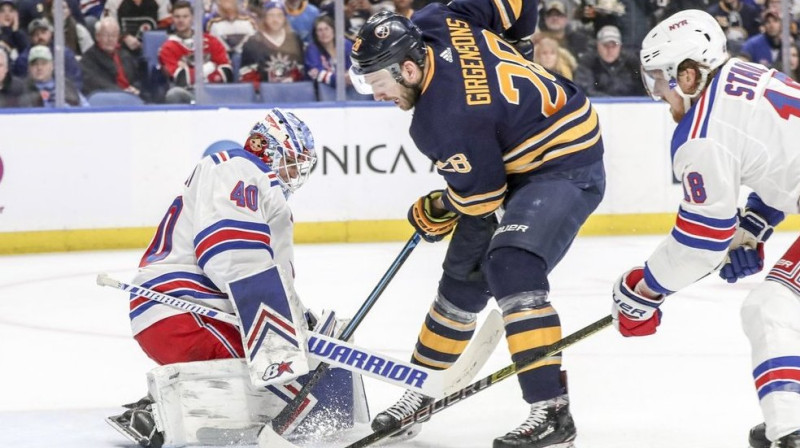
(531, 324)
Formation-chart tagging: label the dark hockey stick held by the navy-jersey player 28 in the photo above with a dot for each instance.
(283, 420)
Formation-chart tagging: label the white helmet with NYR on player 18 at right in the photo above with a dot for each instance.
(691, 34)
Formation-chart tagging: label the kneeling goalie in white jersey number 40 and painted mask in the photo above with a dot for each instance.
(226, 243)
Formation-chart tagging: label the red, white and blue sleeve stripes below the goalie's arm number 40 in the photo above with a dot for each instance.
(229, 234)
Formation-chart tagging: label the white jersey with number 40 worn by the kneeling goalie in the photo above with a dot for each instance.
(231, 220)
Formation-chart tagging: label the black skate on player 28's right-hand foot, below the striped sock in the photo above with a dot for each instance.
(549, 425)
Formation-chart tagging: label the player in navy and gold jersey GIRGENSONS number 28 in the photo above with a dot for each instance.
(521, 153)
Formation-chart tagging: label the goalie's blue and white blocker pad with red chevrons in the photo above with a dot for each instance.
(273, 332)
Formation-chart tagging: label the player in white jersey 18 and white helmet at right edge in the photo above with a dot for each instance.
(738, 125)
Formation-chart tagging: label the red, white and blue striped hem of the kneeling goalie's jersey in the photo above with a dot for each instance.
(176, 284)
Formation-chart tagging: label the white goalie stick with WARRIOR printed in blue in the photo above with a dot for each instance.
(434, 383)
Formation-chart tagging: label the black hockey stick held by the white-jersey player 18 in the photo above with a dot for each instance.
(424, 414)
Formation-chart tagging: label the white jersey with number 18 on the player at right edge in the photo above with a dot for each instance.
(743, 130)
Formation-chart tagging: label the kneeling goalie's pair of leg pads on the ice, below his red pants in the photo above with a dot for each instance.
(214, 403)
